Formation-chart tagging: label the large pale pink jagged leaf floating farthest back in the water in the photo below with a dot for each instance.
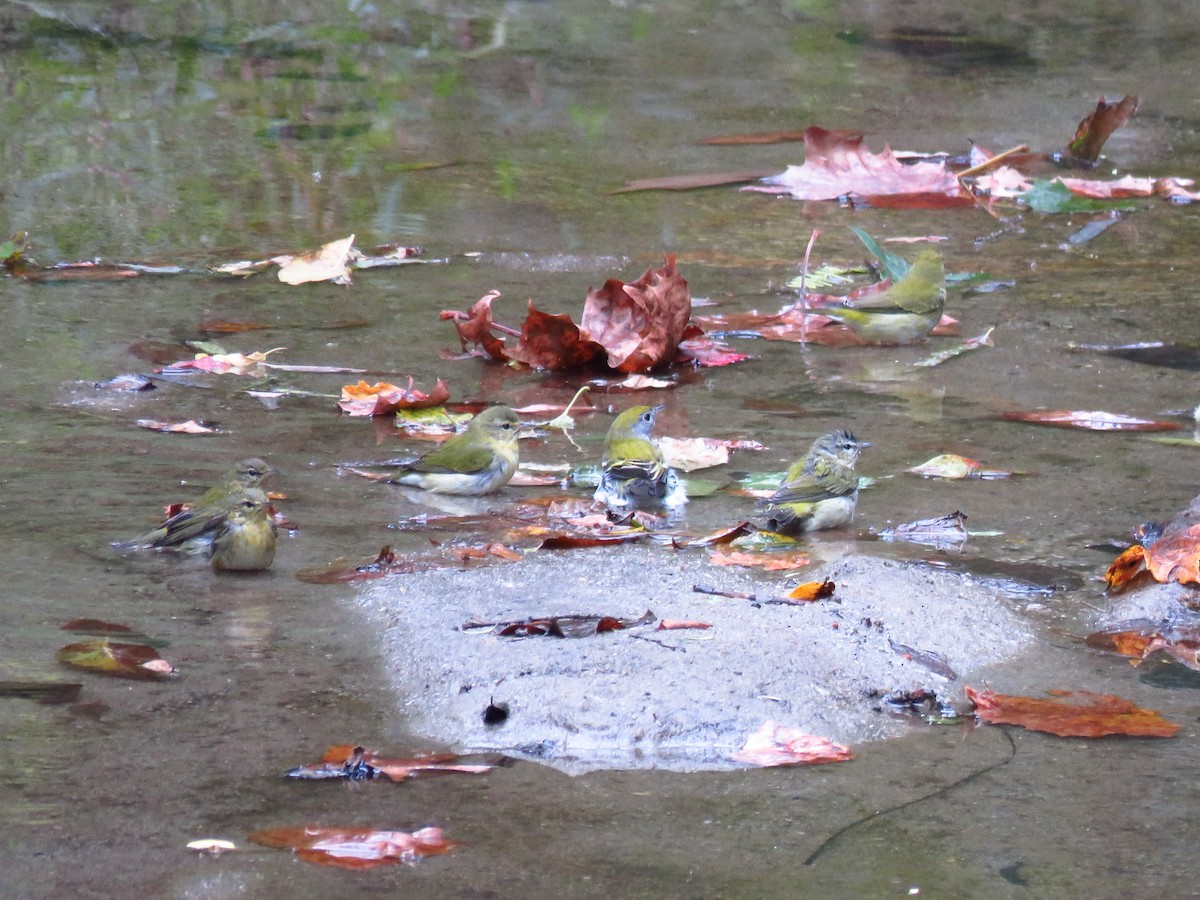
(838, 165)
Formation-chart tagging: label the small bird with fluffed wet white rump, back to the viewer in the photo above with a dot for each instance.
(633, 472)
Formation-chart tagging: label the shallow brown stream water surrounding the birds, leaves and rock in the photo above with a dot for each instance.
(231, 134)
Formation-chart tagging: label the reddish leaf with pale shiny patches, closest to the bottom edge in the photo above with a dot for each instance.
(356, 848)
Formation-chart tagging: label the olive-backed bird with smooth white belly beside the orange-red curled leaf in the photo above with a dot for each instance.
(481, 460)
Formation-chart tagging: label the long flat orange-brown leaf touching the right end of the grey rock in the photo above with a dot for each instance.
(1075, 715)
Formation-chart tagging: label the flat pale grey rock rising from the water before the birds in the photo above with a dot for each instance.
(680, 700)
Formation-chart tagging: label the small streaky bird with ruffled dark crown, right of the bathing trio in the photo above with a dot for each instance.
(819, 491)
